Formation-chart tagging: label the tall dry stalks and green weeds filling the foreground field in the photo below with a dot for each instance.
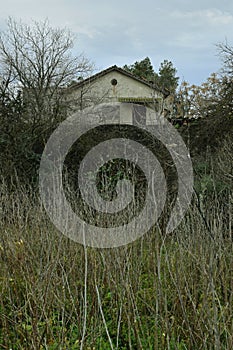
(159, 292)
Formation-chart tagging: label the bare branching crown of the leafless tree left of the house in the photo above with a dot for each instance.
(40, 61)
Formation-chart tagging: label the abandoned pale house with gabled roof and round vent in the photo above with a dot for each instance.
(115, 84)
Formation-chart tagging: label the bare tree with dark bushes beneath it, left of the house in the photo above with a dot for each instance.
(36, 66)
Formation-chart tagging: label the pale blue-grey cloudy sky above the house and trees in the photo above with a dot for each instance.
(121, 32)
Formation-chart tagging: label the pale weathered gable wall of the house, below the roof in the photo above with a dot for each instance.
(125, 92)
